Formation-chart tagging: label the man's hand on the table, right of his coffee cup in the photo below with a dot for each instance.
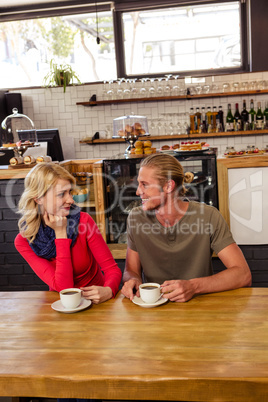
(178, 290)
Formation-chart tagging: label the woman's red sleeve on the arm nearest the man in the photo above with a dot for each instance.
(103, 256)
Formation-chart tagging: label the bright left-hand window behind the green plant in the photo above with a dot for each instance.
(27, 46)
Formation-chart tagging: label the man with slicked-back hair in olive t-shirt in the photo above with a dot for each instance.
(171, 240)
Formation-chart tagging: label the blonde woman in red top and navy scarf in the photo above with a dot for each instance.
(62, 244)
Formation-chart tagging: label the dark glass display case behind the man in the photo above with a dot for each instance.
(120, 183)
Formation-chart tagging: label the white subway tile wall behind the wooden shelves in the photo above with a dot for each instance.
(52, 108)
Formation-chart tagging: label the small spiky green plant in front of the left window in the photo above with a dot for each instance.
(61, 75)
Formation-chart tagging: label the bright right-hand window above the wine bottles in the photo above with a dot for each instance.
(181, 39)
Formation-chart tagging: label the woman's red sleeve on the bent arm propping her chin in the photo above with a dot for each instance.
(57, 274)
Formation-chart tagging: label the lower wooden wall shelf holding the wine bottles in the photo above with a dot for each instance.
(177, 137)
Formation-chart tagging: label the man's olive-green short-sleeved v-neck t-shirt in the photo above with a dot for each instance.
(182, 251)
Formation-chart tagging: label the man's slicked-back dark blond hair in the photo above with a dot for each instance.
(166, 168)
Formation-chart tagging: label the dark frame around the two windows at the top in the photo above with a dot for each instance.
(118, 8)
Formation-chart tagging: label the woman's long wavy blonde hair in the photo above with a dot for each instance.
(38, 181)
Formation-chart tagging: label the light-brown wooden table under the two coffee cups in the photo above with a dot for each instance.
(212, 348)
